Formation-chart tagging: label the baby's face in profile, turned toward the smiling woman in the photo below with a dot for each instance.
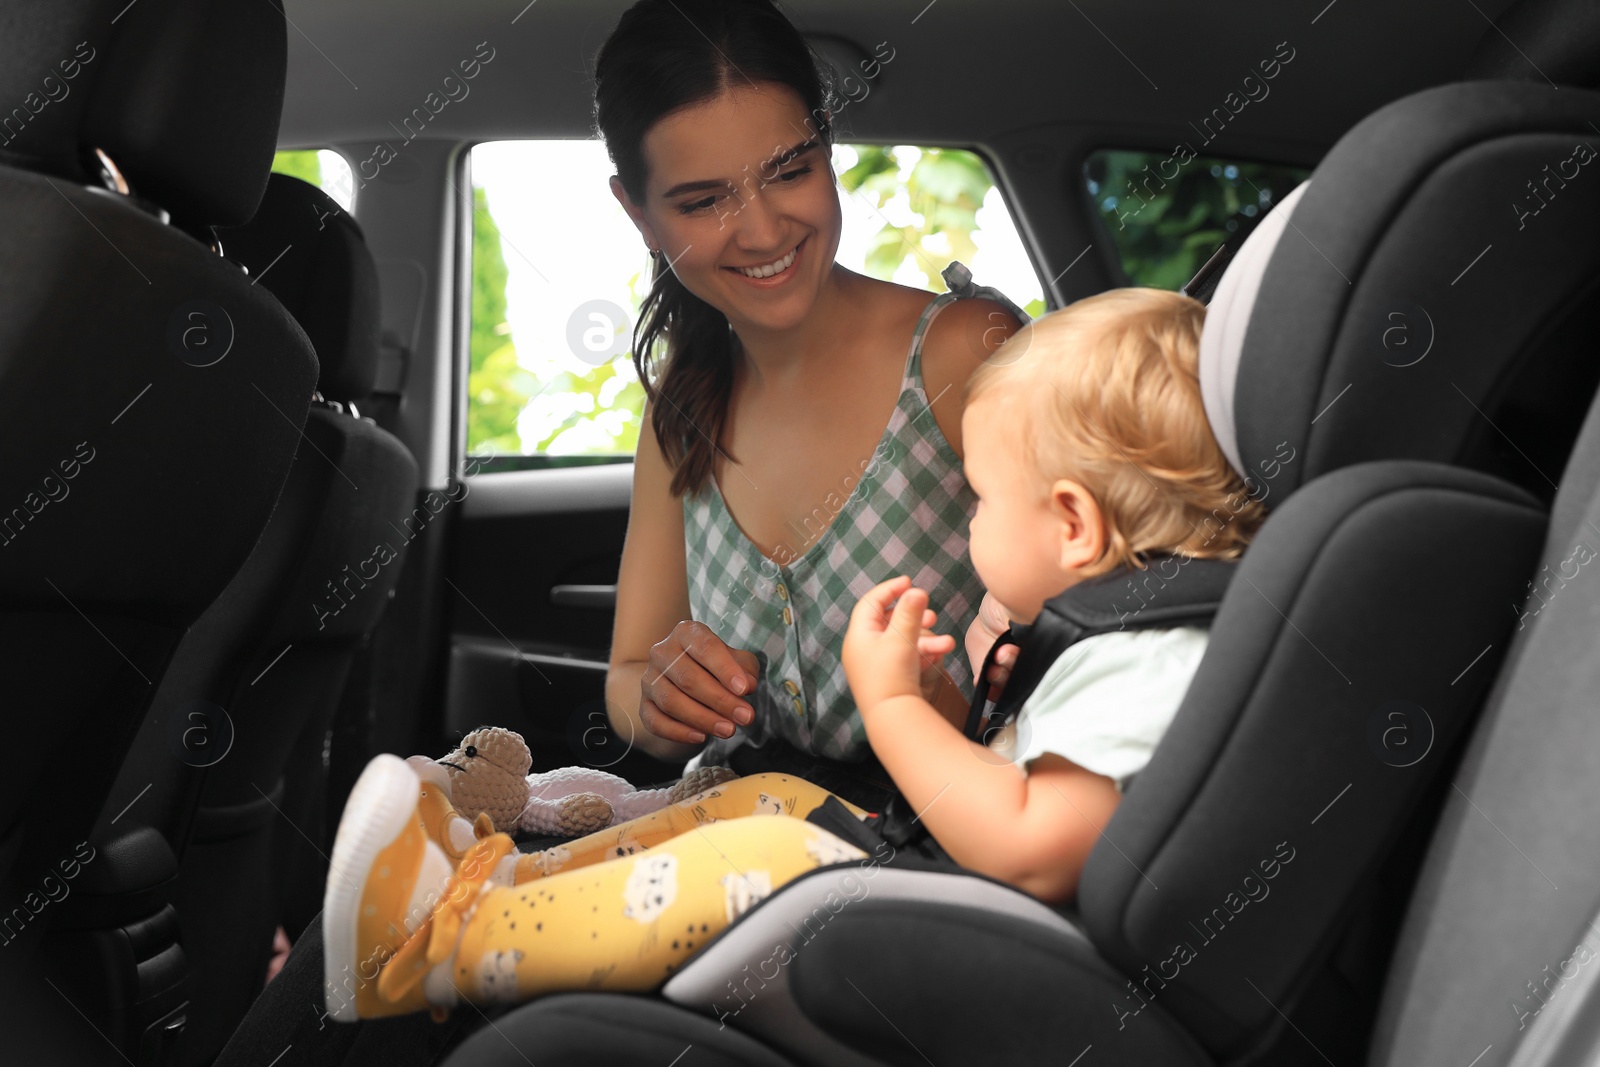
(1015, 537)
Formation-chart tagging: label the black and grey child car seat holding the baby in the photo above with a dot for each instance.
(1246, 893)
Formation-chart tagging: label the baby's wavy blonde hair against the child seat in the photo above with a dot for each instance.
(1106, 393)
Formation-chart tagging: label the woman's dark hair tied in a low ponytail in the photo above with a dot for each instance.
(666, 55)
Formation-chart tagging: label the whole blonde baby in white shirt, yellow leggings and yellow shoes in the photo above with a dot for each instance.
(1087, 447)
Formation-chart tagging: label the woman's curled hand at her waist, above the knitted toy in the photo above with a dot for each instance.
(695, 685)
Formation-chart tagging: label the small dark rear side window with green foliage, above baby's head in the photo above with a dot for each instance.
(1167, 212)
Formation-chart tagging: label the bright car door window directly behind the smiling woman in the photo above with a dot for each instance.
(559, 274)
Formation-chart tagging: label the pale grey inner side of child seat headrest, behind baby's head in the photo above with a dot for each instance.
(1228, 314)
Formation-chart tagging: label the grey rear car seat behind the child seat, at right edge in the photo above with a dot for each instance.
(1498, 949)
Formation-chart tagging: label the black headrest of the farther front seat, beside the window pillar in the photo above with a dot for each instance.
(313, 255)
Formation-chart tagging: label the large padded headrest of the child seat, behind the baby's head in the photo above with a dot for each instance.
(1431, 294)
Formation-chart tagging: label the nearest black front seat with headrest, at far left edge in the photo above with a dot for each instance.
(153, 402)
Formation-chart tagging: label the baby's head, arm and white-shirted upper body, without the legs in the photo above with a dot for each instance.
(1087, 446)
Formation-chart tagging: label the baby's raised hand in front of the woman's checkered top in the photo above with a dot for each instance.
(890, 650)
